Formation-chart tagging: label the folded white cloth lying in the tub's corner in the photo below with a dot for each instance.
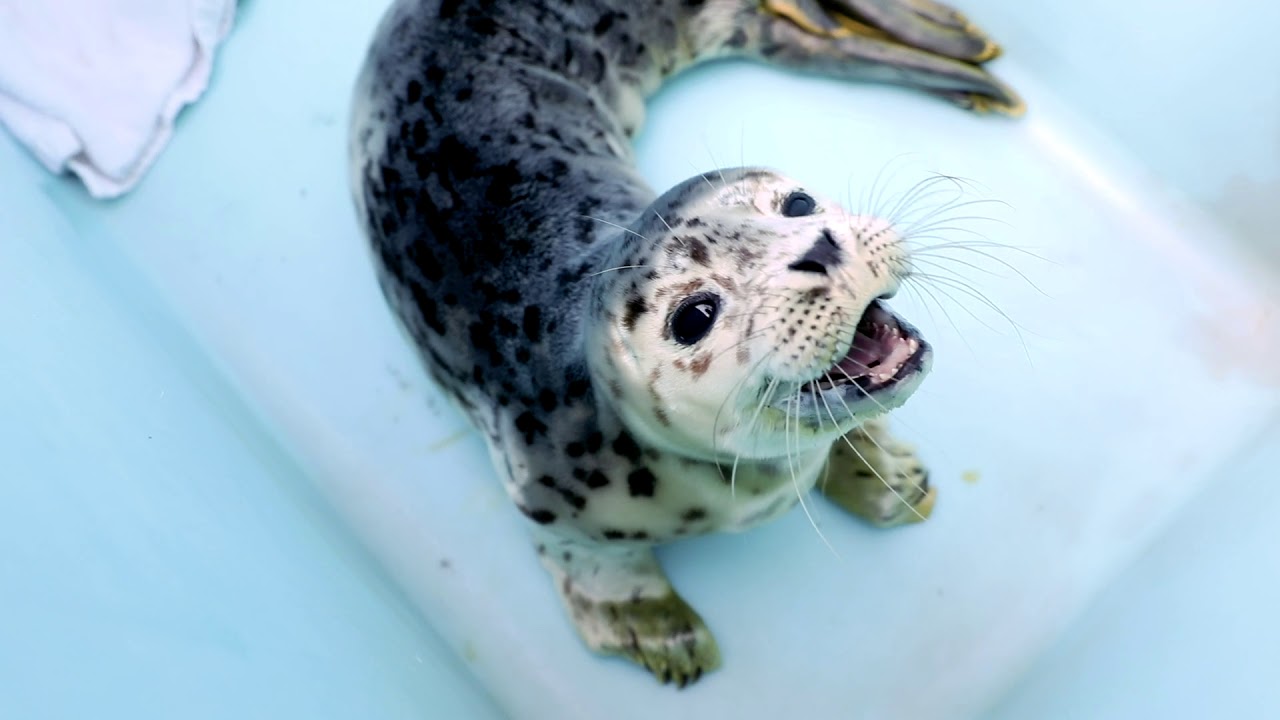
(94, 86)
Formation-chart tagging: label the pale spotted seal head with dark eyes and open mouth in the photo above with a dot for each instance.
(744, 317)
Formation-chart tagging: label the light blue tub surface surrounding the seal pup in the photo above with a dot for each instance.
(227, 491)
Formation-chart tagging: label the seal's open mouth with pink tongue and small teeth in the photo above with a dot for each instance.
(885, 363)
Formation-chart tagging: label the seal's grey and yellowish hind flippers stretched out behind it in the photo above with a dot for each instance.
(806, 37)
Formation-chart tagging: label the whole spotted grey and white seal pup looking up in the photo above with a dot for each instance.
(644, 368)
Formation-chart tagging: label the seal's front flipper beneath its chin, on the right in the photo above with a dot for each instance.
(879, 479)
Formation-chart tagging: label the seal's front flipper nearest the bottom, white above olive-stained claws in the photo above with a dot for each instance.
(623, 604)
